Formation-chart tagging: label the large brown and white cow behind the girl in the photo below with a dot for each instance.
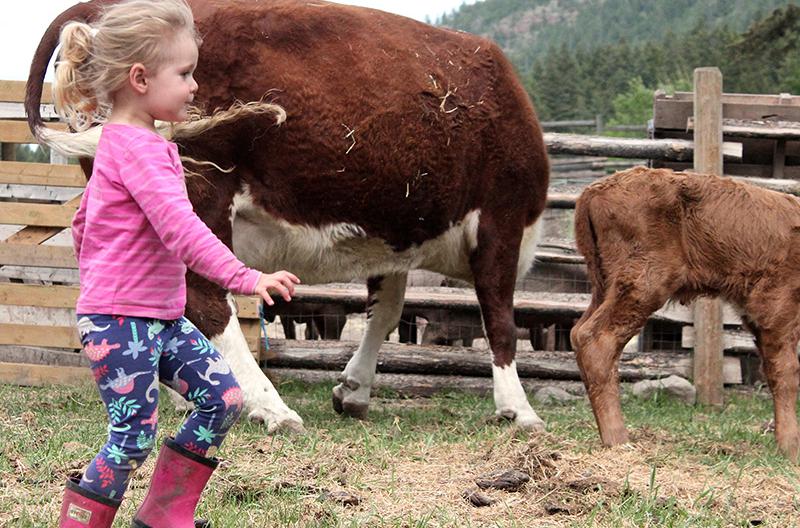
(405, 146)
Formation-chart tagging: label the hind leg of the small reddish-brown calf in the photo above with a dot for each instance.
(598, 339)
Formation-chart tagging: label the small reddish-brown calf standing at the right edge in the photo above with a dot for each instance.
(652, 235)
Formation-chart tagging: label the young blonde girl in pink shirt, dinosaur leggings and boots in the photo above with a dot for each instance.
(134, 234)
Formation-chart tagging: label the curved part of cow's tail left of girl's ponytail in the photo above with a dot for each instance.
(71, 144)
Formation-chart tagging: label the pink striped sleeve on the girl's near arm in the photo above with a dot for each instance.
(155, 181)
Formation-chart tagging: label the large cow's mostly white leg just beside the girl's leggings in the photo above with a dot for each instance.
(214, 312)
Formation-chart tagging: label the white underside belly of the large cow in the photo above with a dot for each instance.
(342, 252)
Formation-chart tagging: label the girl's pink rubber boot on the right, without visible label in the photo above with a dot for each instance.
(178, 481)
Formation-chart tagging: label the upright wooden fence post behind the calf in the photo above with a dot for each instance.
(707, 365)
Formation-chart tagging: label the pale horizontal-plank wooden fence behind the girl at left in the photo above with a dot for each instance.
(38, 277)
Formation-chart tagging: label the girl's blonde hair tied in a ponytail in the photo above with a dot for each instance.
(95, 60)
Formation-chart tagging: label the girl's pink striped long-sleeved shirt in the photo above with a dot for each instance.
(136, 232)
